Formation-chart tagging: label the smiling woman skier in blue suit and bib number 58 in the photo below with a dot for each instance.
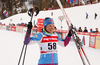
(48, 41)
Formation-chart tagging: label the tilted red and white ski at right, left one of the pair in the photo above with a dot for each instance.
(74, 35)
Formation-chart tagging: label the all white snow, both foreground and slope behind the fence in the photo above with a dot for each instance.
(12, 42)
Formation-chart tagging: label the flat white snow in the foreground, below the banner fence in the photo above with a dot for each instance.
(12, 42)
